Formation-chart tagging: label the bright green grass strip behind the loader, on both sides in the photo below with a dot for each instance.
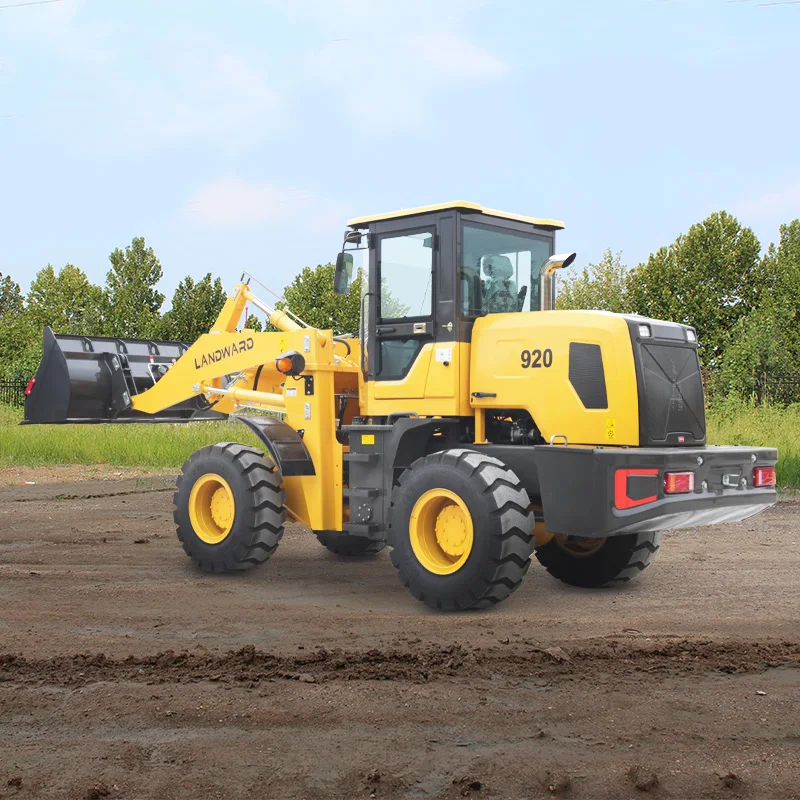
(168, 446)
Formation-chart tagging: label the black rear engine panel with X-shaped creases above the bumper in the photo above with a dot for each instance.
(670, 395)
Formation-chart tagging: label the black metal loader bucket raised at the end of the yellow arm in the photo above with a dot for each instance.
(92, 379)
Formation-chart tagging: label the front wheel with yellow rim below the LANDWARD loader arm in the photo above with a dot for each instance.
(229, 508)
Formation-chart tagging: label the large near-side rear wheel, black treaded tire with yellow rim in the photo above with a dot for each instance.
(461, 530)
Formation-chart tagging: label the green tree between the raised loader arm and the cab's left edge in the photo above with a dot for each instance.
(311, 297)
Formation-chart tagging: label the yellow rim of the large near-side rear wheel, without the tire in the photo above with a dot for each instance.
(441, 532)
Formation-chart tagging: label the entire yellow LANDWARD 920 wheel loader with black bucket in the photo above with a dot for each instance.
(466, 424)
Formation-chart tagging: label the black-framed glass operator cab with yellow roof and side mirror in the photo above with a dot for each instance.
(428, 273)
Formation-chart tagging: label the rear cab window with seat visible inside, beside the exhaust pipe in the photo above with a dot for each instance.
(500, 270)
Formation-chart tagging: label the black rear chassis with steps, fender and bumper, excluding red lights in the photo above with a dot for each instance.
(575, 487)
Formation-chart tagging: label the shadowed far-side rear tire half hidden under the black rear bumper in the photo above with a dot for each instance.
(603, 562)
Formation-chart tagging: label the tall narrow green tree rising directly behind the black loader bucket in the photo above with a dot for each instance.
(132, 301)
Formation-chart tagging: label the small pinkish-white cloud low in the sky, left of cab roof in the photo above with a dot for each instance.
(232, 202)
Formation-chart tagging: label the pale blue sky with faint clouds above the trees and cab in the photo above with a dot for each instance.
(243, 134)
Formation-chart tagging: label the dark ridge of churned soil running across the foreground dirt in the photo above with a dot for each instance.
(249, 665)
